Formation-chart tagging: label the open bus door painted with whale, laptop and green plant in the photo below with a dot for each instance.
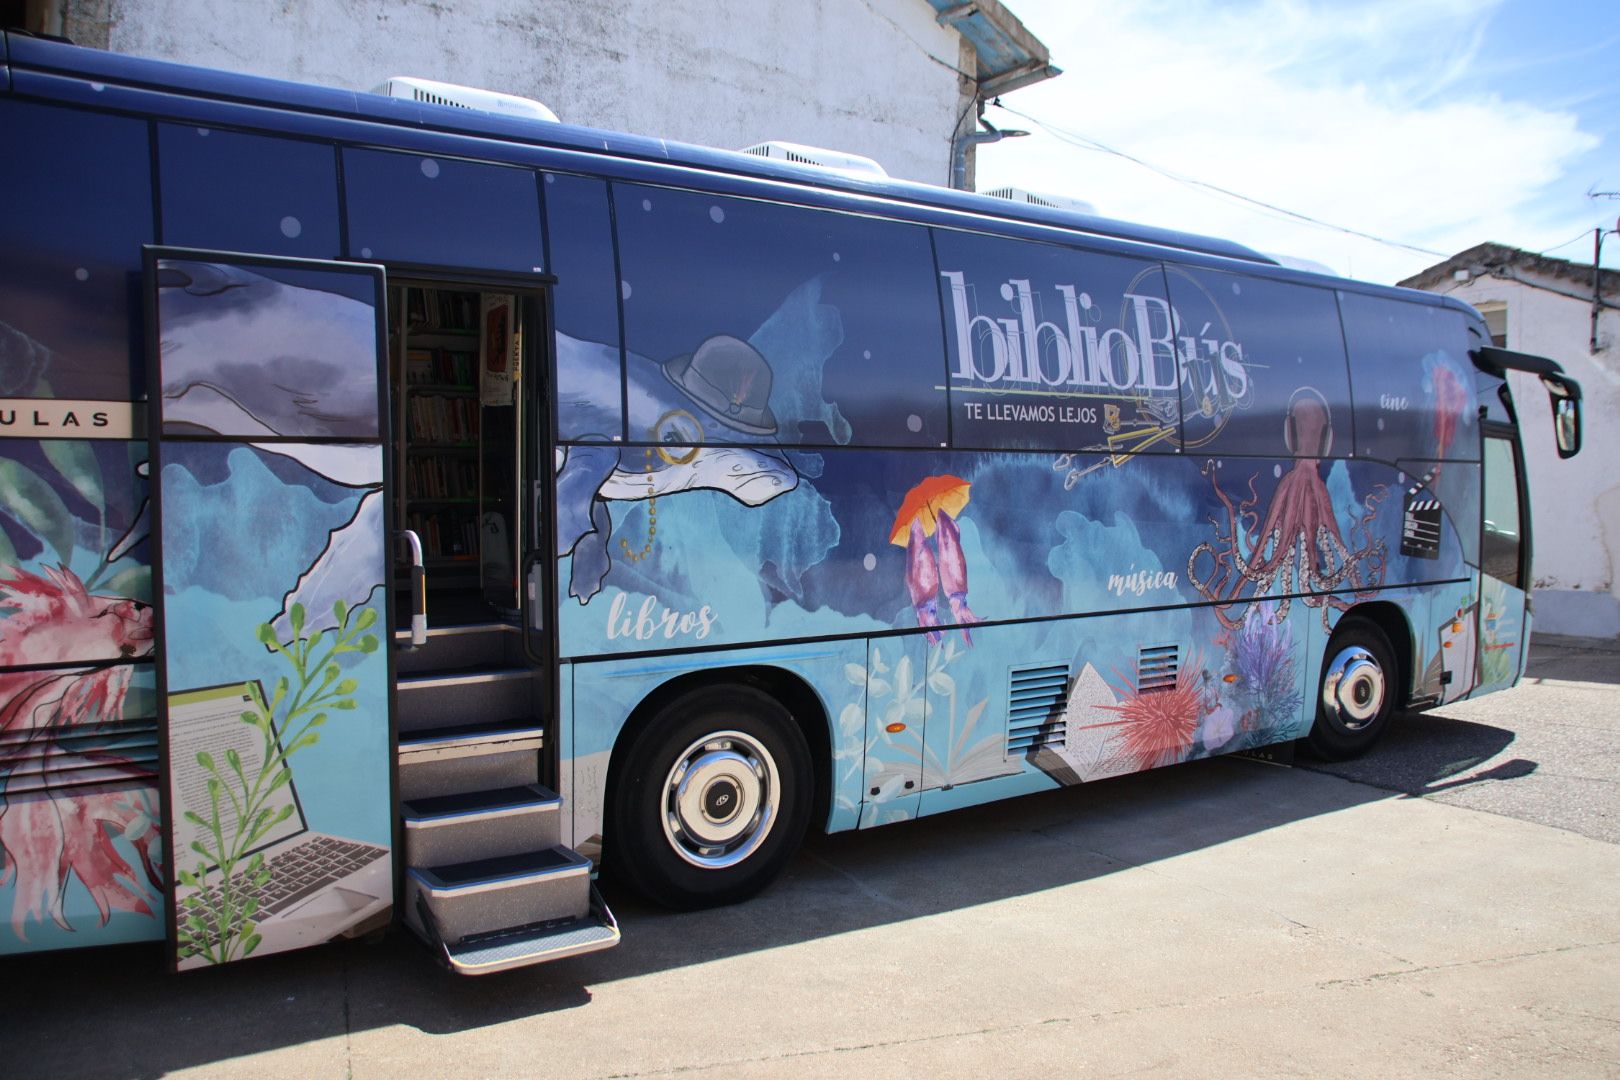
(268, 388)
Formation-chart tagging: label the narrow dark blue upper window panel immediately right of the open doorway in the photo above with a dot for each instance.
(579, 236)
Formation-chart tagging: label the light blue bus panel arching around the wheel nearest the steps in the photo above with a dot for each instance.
(607, 694)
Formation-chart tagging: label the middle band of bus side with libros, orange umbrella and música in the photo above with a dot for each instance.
(882, 542)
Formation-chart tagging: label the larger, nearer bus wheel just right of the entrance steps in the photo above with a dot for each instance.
(712, 801)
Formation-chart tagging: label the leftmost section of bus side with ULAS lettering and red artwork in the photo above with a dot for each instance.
(79, 836)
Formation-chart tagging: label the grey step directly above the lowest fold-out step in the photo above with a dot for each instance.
(485, 896)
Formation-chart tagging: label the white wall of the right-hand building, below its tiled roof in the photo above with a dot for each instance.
(1575, 504)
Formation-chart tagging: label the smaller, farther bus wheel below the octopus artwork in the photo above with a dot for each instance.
(1357, 692)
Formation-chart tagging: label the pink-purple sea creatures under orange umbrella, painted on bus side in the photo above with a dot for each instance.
(931, 509)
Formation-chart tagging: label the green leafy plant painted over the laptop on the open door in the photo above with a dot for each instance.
(216, 919)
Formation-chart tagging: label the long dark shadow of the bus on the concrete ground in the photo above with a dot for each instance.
(116, 1013)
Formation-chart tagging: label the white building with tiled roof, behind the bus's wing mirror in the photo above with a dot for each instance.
(1546, 307)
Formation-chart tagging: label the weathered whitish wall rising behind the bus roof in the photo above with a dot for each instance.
(871, 77)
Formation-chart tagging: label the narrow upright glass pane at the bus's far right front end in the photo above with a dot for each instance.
(1504, 564)
